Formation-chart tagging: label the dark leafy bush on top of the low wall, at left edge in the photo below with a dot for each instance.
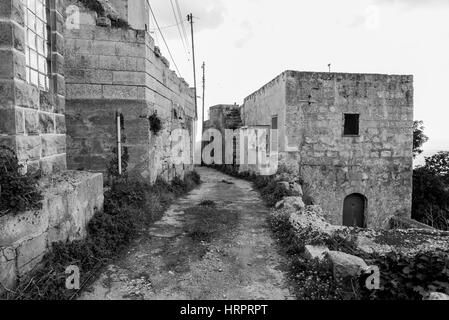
(18, 192)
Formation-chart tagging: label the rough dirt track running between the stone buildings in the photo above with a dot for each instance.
(198, 252)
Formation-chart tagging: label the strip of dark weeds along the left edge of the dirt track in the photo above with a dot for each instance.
(130, 206)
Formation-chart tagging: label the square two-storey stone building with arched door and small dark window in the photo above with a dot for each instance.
(349, 135)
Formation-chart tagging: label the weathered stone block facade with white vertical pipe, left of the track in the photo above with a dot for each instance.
(119, 69)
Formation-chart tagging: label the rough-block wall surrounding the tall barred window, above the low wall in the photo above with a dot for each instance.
(32, 120)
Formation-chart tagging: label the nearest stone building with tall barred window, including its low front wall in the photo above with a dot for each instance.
(33, 124)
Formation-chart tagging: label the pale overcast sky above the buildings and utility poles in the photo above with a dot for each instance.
(246, 43)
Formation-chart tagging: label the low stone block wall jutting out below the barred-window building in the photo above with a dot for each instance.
(70, 201)
